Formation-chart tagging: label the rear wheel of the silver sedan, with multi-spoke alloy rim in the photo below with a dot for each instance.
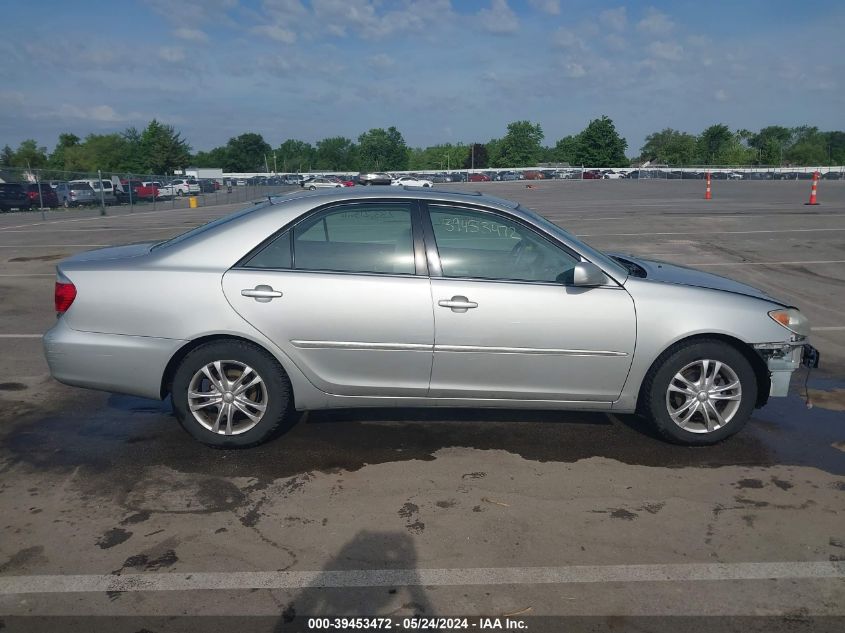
(270, 400)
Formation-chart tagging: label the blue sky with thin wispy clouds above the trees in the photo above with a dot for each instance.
(439, 70)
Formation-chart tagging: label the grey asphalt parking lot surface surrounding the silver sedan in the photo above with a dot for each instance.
(438, 512)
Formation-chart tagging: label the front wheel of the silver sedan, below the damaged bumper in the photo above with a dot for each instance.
(673, 389)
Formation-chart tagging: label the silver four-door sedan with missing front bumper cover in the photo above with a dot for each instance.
(345, 298)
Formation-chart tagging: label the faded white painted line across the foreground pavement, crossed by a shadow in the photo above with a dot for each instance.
(181, 581)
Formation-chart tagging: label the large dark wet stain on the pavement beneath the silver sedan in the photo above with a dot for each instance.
(99, 435)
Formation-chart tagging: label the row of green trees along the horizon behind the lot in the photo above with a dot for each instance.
(160, 149)
